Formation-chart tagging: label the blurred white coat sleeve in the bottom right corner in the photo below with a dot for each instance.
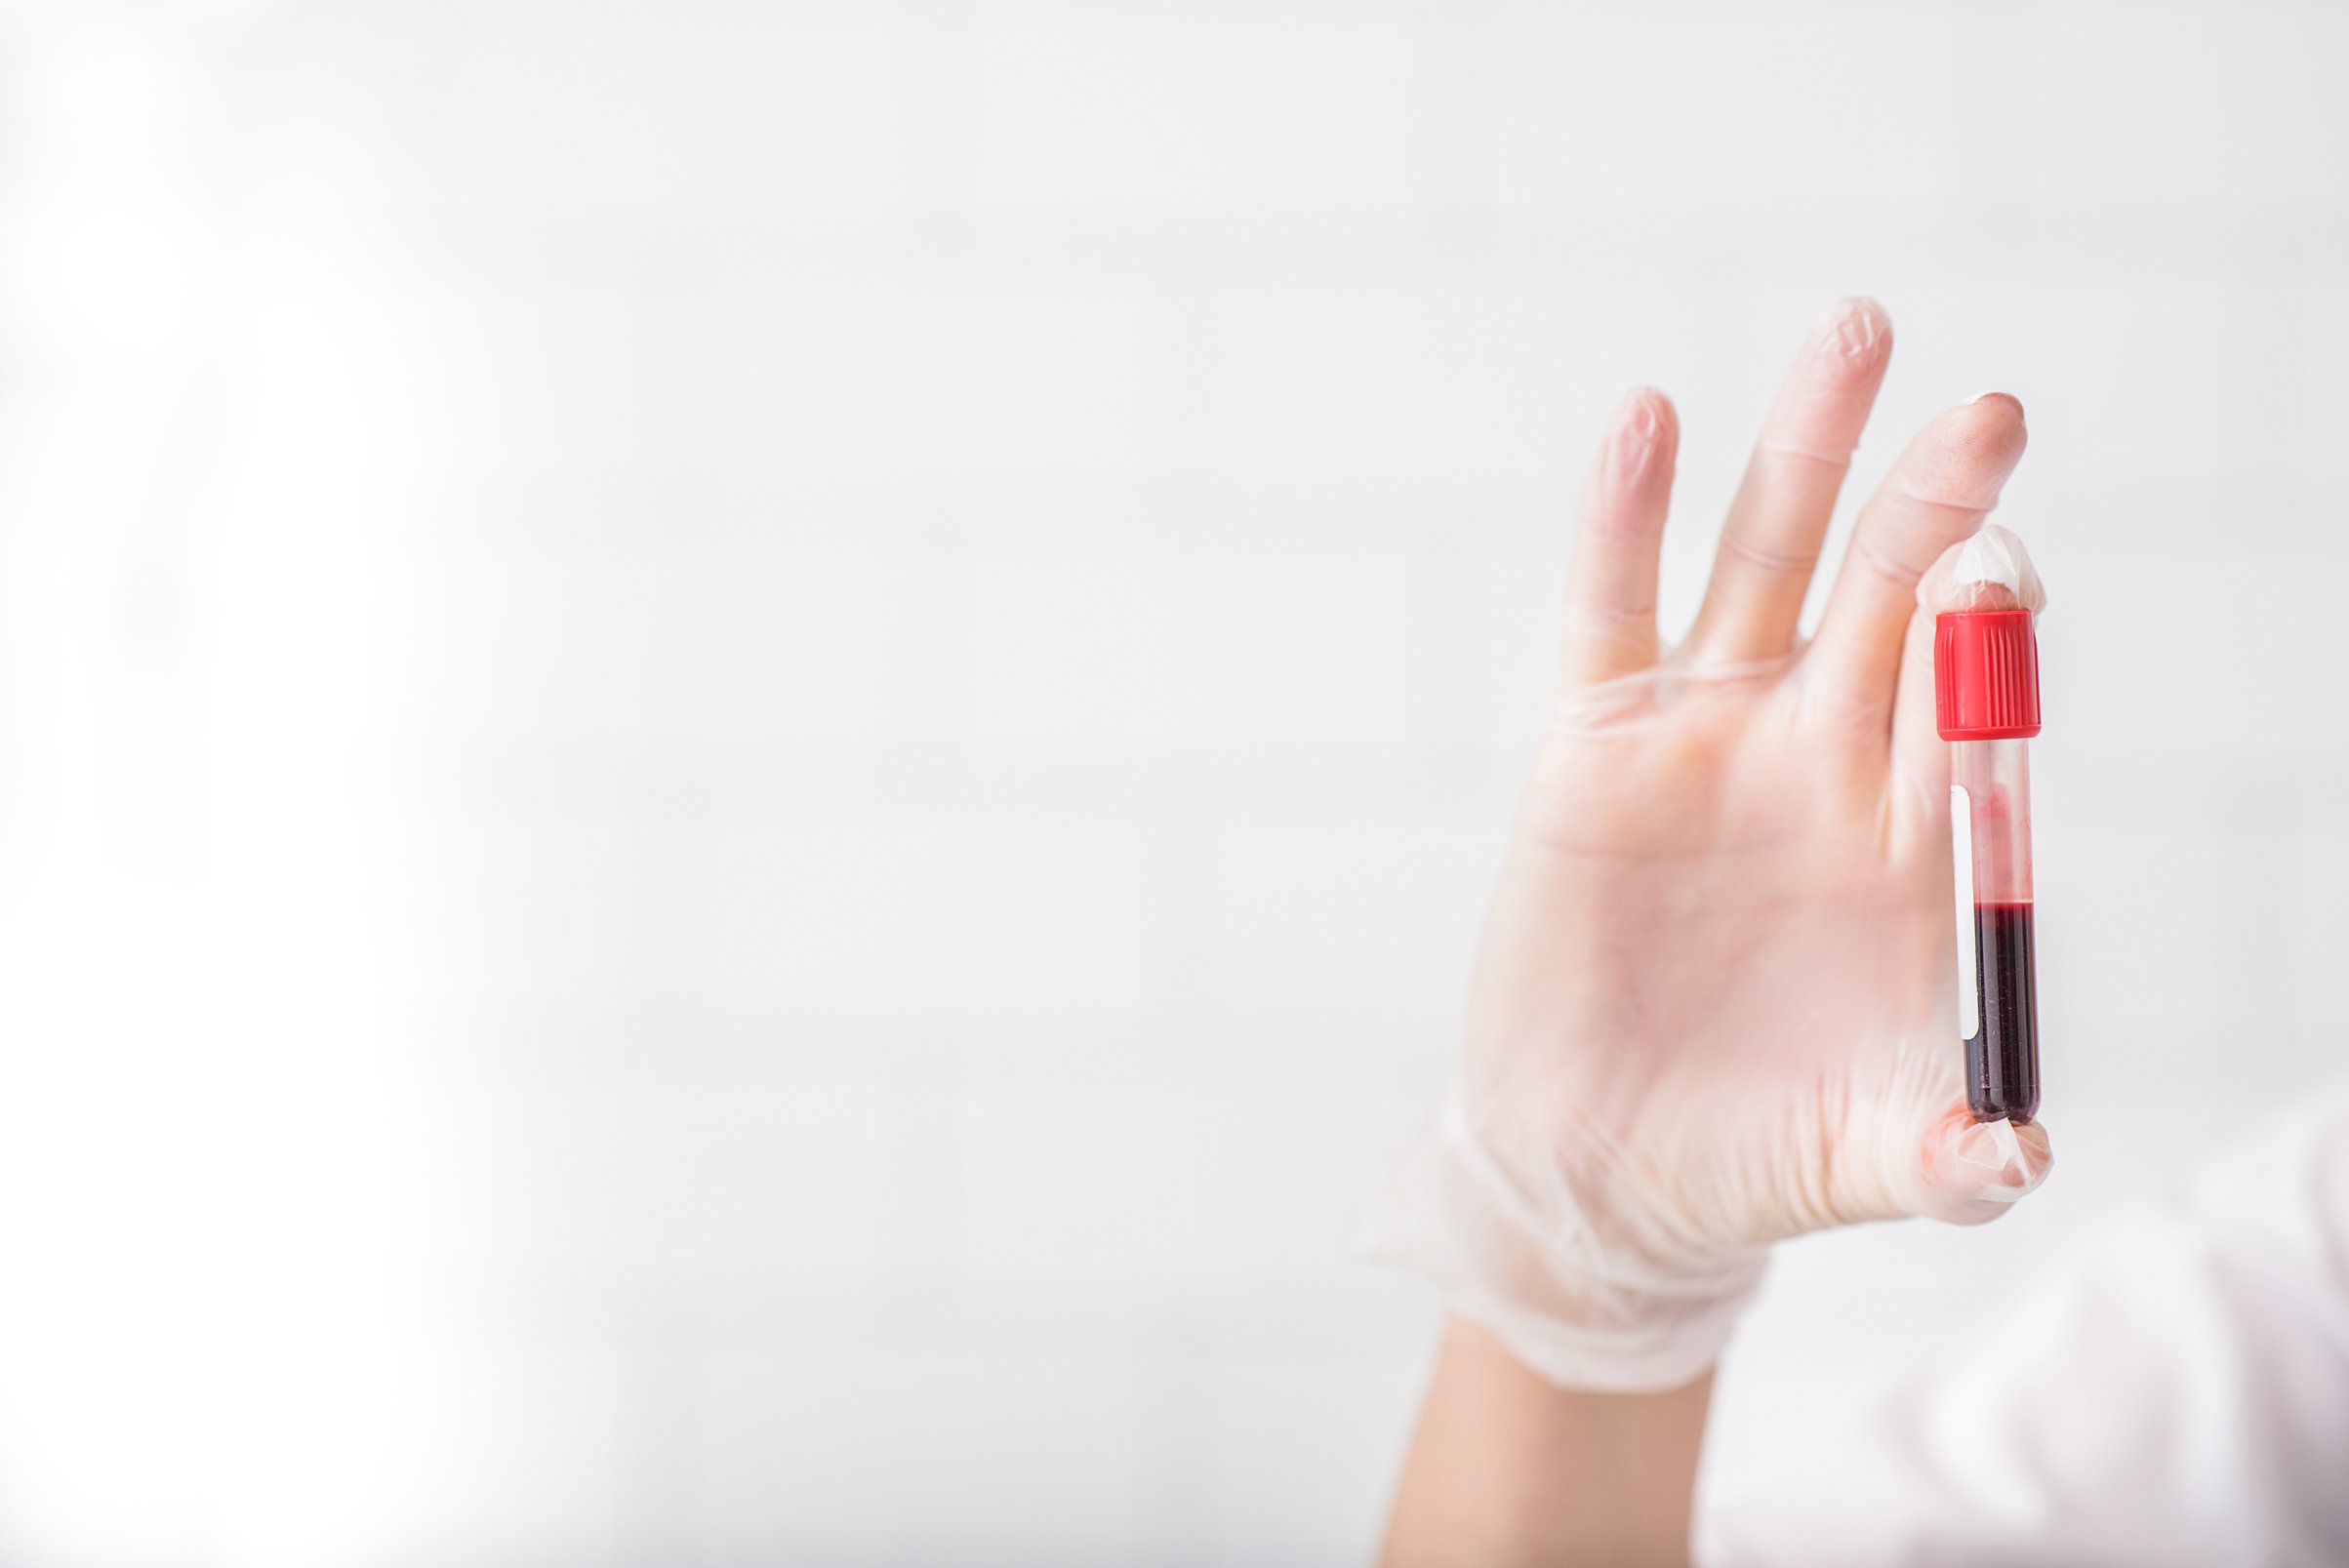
(2179, 1393)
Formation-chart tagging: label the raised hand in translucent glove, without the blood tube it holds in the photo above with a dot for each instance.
(1716, 1001)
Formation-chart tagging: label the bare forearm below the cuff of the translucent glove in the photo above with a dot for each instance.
(1514, 1473)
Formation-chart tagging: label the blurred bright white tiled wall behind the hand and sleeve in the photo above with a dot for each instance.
(748, 752)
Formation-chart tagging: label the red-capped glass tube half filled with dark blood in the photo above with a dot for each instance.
(1986, 687)
